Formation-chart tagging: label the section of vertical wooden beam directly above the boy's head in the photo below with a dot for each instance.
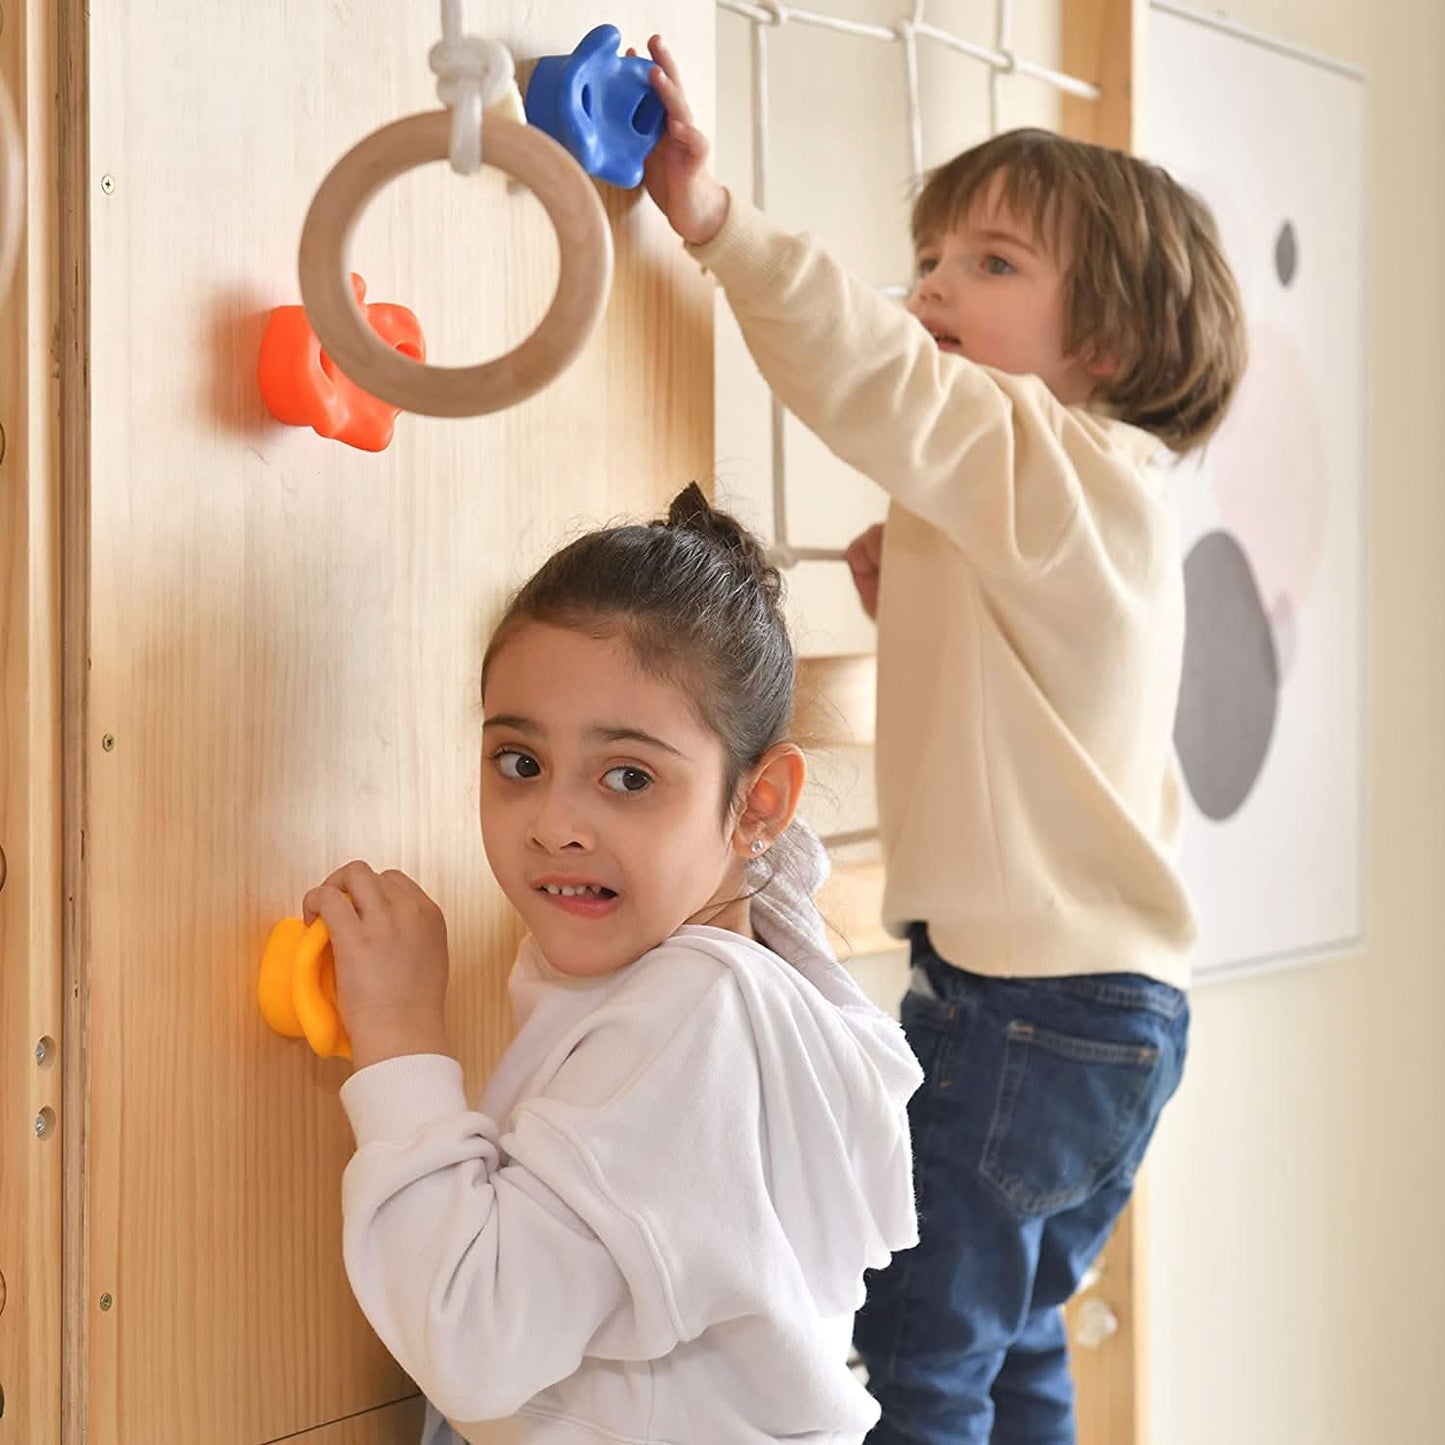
(1102, 41)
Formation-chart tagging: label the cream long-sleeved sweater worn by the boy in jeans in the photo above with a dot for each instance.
(1031, 628)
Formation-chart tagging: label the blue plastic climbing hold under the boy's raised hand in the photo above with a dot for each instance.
(600, 106)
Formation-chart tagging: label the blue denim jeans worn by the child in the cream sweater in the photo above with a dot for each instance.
(1038, 1103)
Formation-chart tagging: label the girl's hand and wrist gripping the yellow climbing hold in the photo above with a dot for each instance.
(389, 941)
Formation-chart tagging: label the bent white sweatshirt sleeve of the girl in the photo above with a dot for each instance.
(486, 1281)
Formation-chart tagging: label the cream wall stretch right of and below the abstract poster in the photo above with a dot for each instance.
(1298, 1272)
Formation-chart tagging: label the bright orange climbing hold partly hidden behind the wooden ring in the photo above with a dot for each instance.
(303, 387)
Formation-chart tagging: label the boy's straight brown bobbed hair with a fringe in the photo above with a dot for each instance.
(1148, 285)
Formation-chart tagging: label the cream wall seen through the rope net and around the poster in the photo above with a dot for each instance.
(1297, 1265)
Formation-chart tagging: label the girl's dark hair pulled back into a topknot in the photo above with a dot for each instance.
(700, 605)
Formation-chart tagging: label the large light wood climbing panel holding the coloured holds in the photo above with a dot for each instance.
(285, 638)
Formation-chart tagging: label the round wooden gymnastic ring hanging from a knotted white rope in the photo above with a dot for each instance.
(585, 272)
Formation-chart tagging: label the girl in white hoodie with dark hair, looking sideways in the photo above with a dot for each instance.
(655, 1226)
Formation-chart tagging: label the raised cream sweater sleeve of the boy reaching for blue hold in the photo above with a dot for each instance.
(989, 459)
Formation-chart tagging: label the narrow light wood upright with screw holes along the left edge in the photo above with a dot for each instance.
(31, 927)
